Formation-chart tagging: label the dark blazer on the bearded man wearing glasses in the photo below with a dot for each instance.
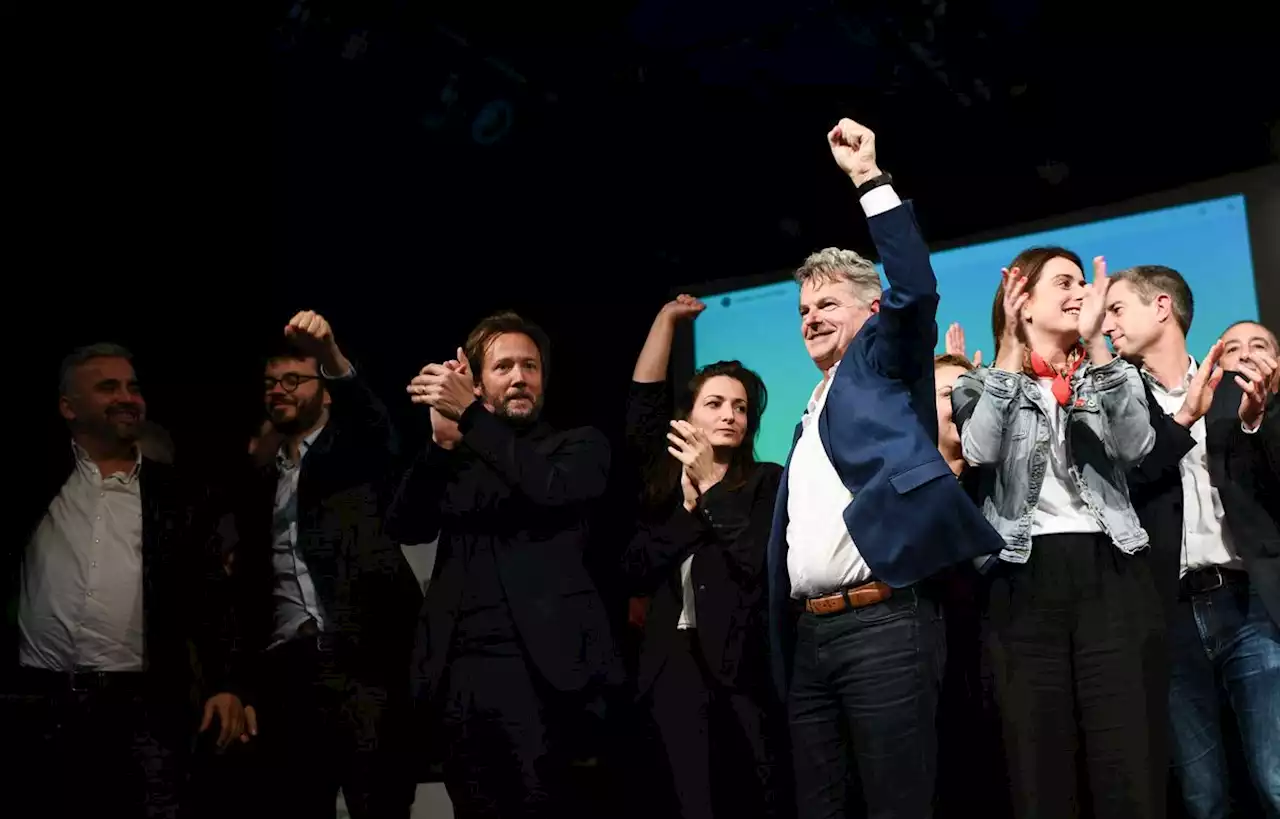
(364, 583)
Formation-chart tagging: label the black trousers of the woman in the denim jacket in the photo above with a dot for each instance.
(1077, 642)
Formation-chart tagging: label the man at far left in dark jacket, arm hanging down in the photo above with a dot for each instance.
(111, 584)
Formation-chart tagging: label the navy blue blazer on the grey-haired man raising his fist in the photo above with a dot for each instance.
(908, 516)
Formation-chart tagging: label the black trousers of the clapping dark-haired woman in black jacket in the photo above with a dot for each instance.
(720, 743)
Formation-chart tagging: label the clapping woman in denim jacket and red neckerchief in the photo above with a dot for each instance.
(1073, 625)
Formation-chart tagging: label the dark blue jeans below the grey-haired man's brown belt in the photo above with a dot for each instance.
(862, 706)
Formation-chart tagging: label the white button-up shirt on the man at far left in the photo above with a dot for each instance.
(81, 598)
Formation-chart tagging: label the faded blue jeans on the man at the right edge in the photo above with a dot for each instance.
(1226, 648)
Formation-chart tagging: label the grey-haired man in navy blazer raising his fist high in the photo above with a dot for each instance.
(868, 513)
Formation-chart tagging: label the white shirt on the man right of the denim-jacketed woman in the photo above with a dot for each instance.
(1206, 542)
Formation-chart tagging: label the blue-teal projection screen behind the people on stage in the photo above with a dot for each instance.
(1205, 240)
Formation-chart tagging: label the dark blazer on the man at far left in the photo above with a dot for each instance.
(185, 593)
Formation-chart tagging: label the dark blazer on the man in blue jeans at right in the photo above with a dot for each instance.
(1242, 469)
